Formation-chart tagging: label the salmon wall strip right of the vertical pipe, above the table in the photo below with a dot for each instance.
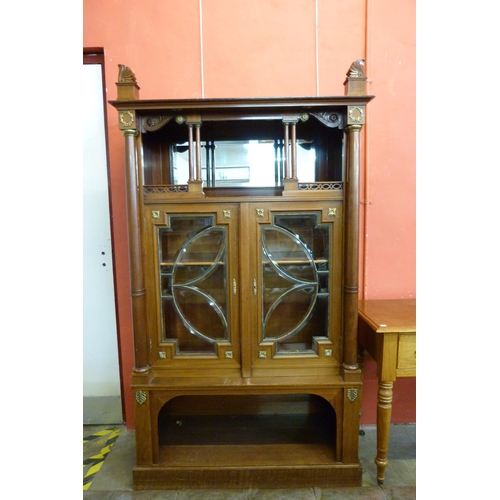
(390, 192)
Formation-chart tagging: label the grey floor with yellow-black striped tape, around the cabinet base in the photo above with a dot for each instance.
(109, 457)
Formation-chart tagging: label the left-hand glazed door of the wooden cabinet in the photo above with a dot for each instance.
(194, 270)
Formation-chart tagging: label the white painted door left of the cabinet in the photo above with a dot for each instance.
(101, 376)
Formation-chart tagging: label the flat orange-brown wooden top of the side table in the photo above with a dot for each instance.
(389, 316)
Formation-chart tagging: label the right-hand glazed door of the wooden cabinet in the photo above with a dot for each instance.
(296, 280)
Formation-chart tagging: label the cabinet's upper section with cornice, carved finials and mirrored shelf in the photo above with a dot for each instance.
(187, 144)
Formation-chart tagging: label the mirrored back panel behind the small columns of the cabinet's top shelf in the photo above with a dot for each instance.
(249, 154)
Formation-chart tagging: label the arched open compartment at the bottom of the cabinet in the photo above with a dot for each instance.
(250, 431)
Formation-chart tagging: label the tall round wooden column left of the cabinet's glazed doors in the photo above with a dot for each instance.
(137, 287)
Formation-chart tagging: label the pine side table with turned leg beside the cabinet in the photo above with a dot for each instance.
(387, 330)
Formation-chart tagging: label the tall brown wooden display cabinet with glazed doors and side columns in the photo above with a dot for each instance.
(244, 287)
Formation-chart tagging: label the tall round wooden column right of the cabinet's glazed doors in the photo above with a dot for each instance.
(352, 250)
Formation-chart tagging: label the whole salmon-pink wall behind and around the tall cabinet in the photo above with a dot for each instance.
(228, 48)
